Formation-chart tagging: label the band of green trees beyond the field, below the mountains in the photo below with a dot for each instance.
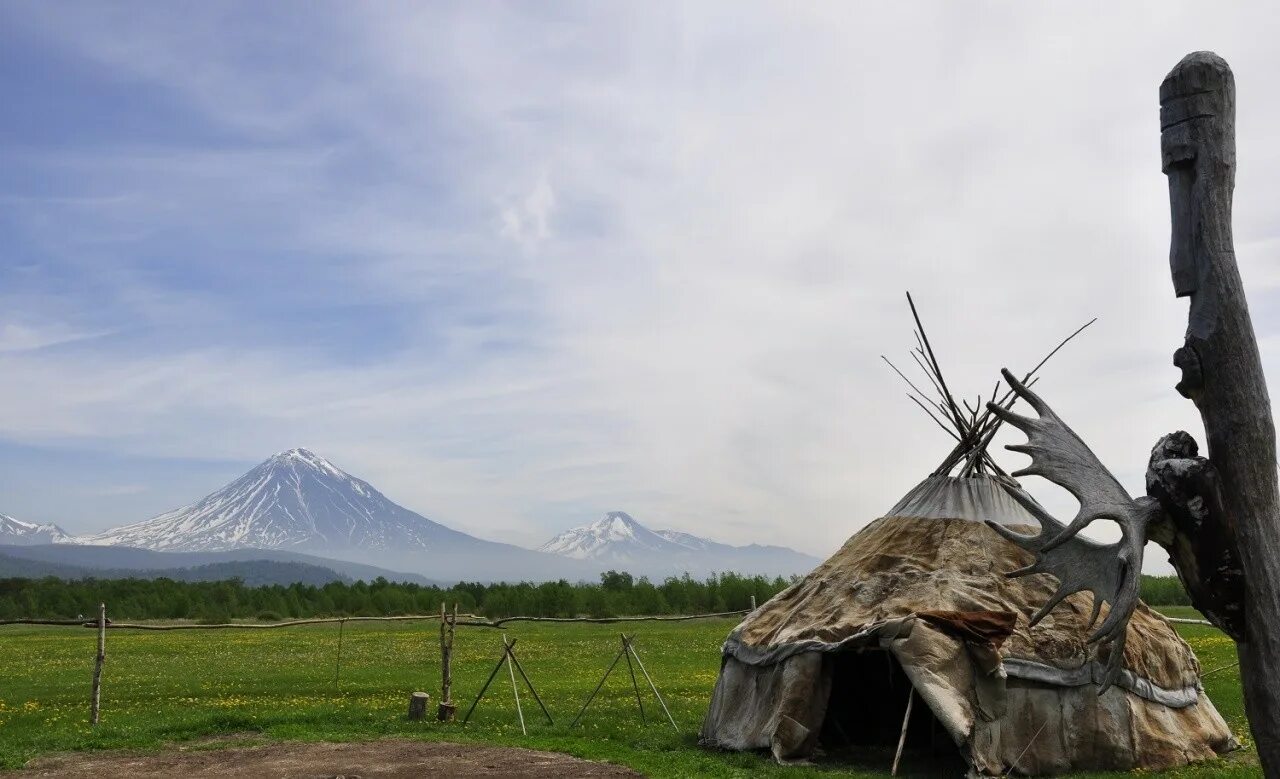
(618, 594)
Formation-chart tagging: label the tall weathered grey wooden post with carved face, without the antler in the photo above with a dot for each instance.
(1222, 366)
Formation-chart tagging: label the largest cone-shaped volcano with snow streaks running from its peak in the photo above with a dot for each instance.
(295, 501)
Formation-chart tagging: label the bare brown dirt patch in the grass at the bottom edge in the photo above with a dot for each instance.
(387, 759)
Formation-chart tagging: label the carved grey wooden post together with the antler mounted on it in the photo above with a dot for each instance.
(1219, 519)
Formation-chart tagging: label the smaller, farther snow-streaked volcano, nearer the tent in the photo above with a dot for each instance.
(618, 540)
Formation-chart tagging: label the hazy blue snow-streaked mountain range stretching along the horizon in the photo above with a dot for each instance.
(300, 505)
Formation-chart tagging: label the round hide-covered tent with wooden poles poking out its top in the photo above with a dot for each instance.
(916, 611)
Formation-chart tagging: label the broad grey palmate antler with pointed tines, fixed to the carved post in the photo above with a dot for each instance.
(1110, 572)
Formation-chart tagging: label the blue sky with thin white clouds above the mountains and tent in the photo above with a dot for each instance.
(523, 264)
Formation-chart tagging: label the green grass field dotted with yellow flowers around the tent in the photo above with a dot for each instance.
(162, 688)
